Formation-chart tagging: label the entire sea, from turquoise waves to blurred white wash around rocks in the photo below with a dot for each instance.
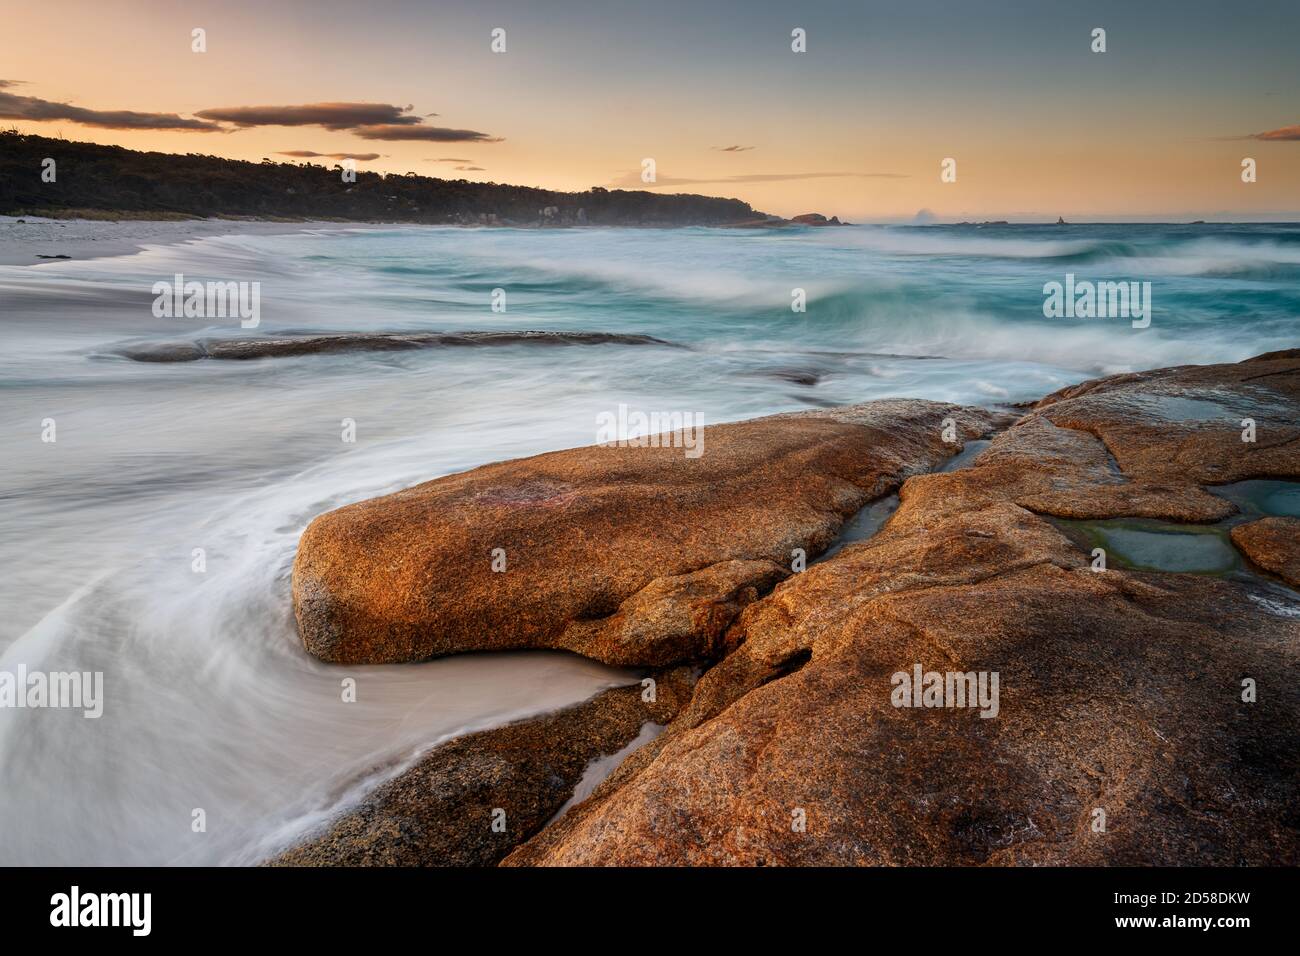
(210, 703)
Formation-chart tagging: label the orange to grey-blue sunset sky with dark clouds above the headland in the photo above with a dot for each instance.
(857, 126)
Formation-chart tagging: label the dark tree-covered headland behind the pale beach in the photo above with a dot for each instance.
(85, 178)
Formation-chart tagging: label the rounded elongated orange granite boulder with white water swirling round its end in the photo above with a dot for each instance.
(631, 556)
